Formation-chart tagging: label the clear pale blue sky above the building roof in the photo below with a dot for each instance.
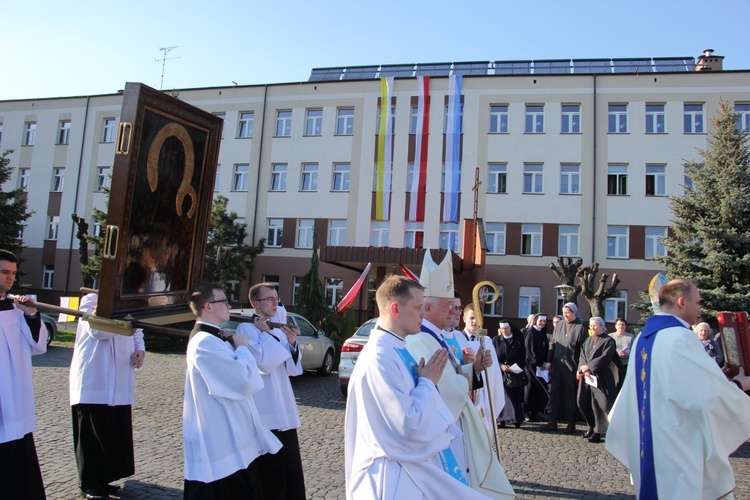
(52, 48)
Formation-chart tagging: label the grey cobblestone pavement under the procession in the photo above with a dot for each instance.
(538, 464)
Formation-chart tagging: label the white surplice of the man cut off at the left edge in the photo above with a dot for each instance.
(17, 389)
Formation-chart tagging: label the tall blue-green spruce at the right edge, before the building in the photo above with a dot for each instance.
(710, 245)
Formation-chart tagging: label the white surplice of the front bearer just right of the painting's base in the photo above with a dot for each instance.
(222, 429)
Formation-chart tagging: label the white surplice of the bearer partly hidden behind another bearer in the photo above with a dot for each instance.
(273, 354)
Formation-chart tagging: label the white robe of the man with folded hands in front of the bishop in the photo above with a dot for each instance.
(395, 430)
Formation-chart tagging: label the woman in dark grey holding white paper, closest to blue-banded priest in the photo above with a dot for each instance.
(599, 375)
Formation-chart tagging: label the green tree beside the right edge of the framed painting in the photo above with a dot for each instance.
(228, 258)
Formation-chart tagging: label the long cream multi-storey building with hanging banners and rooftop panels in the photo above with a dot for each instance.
(575, 158)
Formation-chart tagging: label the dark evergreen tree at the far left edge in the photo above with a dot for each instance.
(15, 212)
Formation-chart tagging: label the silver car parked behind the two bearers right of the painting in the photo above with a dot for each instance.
(316, 348)
